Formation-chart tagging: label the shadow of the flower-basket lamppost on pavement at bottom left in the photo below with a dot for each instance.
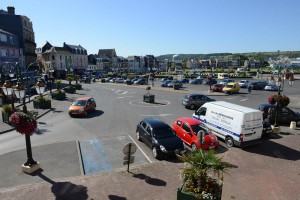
(64, 190)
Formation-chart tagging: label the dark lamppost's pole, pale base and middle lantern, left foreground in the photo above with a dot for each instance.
(31, 165)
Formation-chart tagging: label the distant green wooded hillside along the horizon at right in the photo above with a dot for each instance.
(265, 55)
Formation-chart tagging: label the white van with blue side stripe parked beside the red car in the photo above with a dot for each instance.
(237, 125)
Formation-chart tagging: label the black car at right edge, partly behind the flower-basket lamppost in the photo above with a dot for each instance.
(285, 115)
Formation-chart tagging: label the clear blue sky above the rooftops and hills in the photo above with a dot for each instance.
(157, 27)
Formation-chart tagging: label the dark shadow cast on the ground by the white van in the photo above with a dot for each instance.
(273, 149)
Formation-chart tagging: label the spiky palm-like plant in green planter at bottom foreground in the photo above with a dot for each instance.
(202, 175)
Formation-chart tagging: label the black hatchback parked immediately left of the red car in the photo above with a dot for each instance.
(159, 137)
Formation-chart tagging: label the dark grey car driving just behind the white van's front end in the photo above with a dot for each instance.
(193, 101)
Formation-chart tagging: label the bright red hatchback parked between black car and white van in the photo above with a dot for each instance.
(187, 128)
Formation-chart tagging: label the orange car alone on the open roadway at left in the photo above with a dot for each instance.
(81, 106)
